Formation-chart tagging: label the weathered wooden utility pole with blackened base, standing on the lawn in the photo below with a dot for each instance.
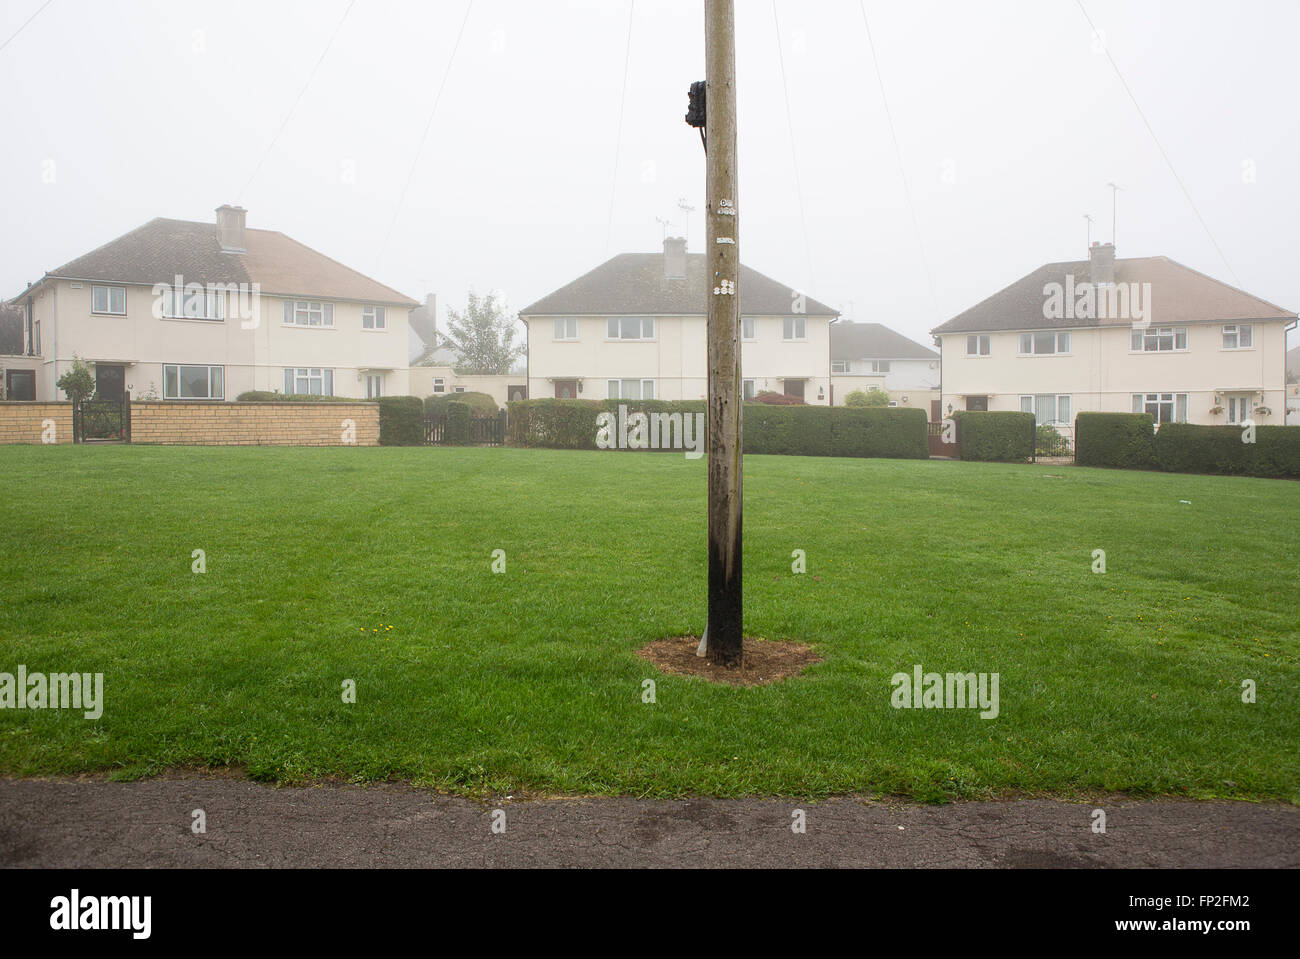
(726, 633)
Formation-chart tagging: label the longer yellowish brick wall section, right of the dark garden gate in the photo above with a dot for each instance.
(254, 424)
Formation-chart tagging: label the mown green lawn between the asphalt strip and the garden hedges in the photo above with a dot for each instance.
(528, 682)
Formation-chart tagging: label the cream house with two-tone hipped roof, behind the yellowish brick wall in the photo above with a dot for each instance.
(189, 311)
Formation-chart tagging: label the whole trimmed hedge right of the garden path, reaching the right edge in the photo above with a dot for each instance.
(1128, 441)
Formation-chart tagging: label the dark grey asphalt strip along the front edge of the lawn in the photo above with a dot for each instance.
(88, 825)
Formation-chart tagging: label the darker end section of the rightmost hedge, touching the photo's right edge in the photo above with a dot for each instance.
(1189, 449)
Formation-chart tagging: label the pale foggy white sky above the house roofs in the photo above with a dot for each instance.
(1009, 118)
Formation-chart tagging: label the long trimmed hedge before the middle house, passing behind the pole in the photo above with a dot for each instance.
(805, 431)
